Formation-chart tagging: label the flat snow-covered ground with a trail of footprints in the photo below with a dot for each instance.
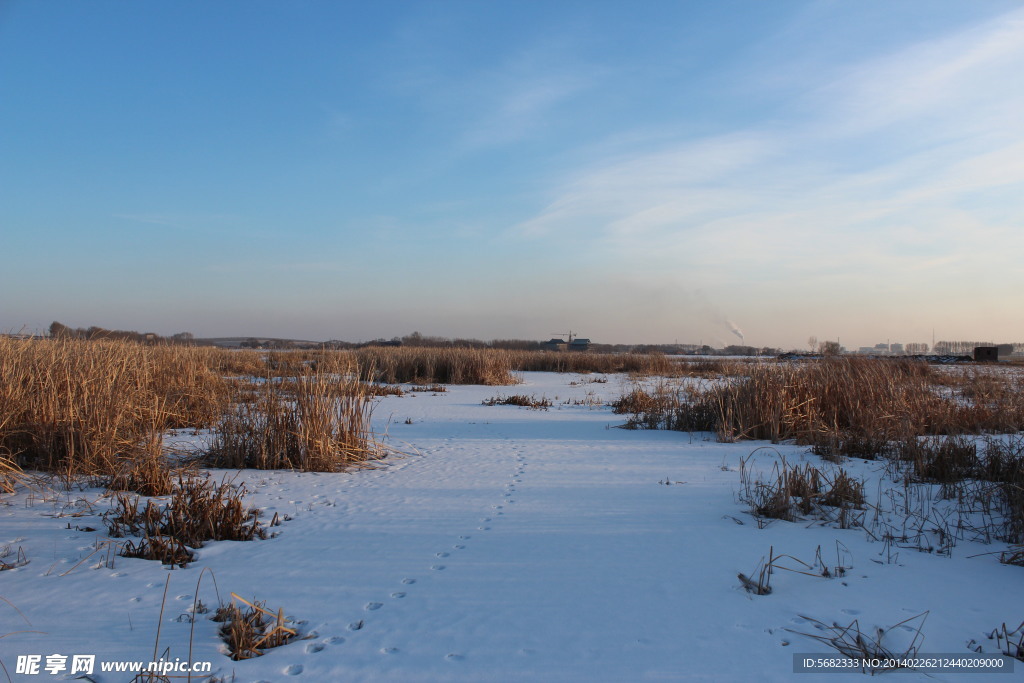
(509, 544)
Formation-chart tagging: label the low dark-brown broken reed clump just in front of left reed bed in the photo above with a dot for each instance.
(198, 511)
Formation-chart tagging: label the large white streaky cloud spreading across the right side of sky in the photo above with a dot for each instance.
(829, 191)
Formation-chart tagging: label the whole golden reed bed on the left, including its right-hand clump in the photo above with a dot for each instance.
(100, 410)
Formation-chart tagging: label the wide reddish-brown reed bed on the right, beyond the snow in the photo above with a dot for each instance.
(846, 405)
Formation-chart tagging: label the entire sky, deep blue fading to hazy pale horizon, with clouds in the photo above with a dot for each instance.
(638, 173)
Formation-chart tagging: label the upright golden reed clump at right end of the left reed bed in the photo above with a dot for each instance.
(316, 422)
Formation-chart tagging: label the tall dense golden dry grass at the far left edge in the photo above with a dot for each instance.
(98, 408)
